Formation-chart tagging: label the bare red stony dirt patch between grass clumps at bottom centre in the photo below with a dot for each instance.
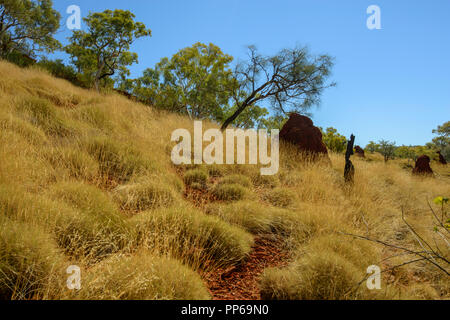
(241, 282)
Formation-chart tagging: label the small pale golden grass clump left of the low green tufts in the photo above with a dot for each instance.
(144, 195)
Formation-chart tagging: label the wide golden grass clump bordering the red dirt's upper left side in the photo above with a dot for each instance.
(191, 236)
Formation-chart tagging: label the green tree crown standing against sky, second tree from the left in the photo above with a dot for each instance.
(103, 49)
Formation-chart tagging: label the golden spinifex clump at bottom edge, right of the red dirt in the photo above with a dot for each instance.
(331, 269)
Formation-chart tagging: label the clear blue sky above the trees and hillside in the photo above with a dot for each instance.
(393, 83)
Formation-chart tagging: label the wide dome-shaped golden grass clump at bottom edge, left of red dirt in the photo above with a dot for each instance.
(142, 277)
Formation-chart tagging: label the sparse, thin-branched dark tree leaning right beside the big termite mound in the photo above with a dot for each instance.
(290, 81)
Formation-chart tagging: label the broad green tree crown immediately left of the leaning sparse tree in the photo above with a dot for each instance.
(196, 81)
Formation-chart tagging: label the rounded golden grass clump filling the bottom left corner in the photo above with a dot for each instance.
(30, 264)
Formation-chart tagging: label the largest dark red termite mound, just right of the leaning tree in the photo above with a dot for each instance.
(300, 131)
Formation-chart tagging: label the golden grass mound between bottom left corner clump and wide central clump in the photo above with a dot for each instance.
(96, 229)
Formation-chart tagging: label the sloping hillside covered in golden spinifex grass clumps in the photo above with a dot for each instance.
(86, 179)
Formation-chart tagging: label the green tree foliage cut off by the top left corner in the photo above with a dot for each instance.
(28, 26)
